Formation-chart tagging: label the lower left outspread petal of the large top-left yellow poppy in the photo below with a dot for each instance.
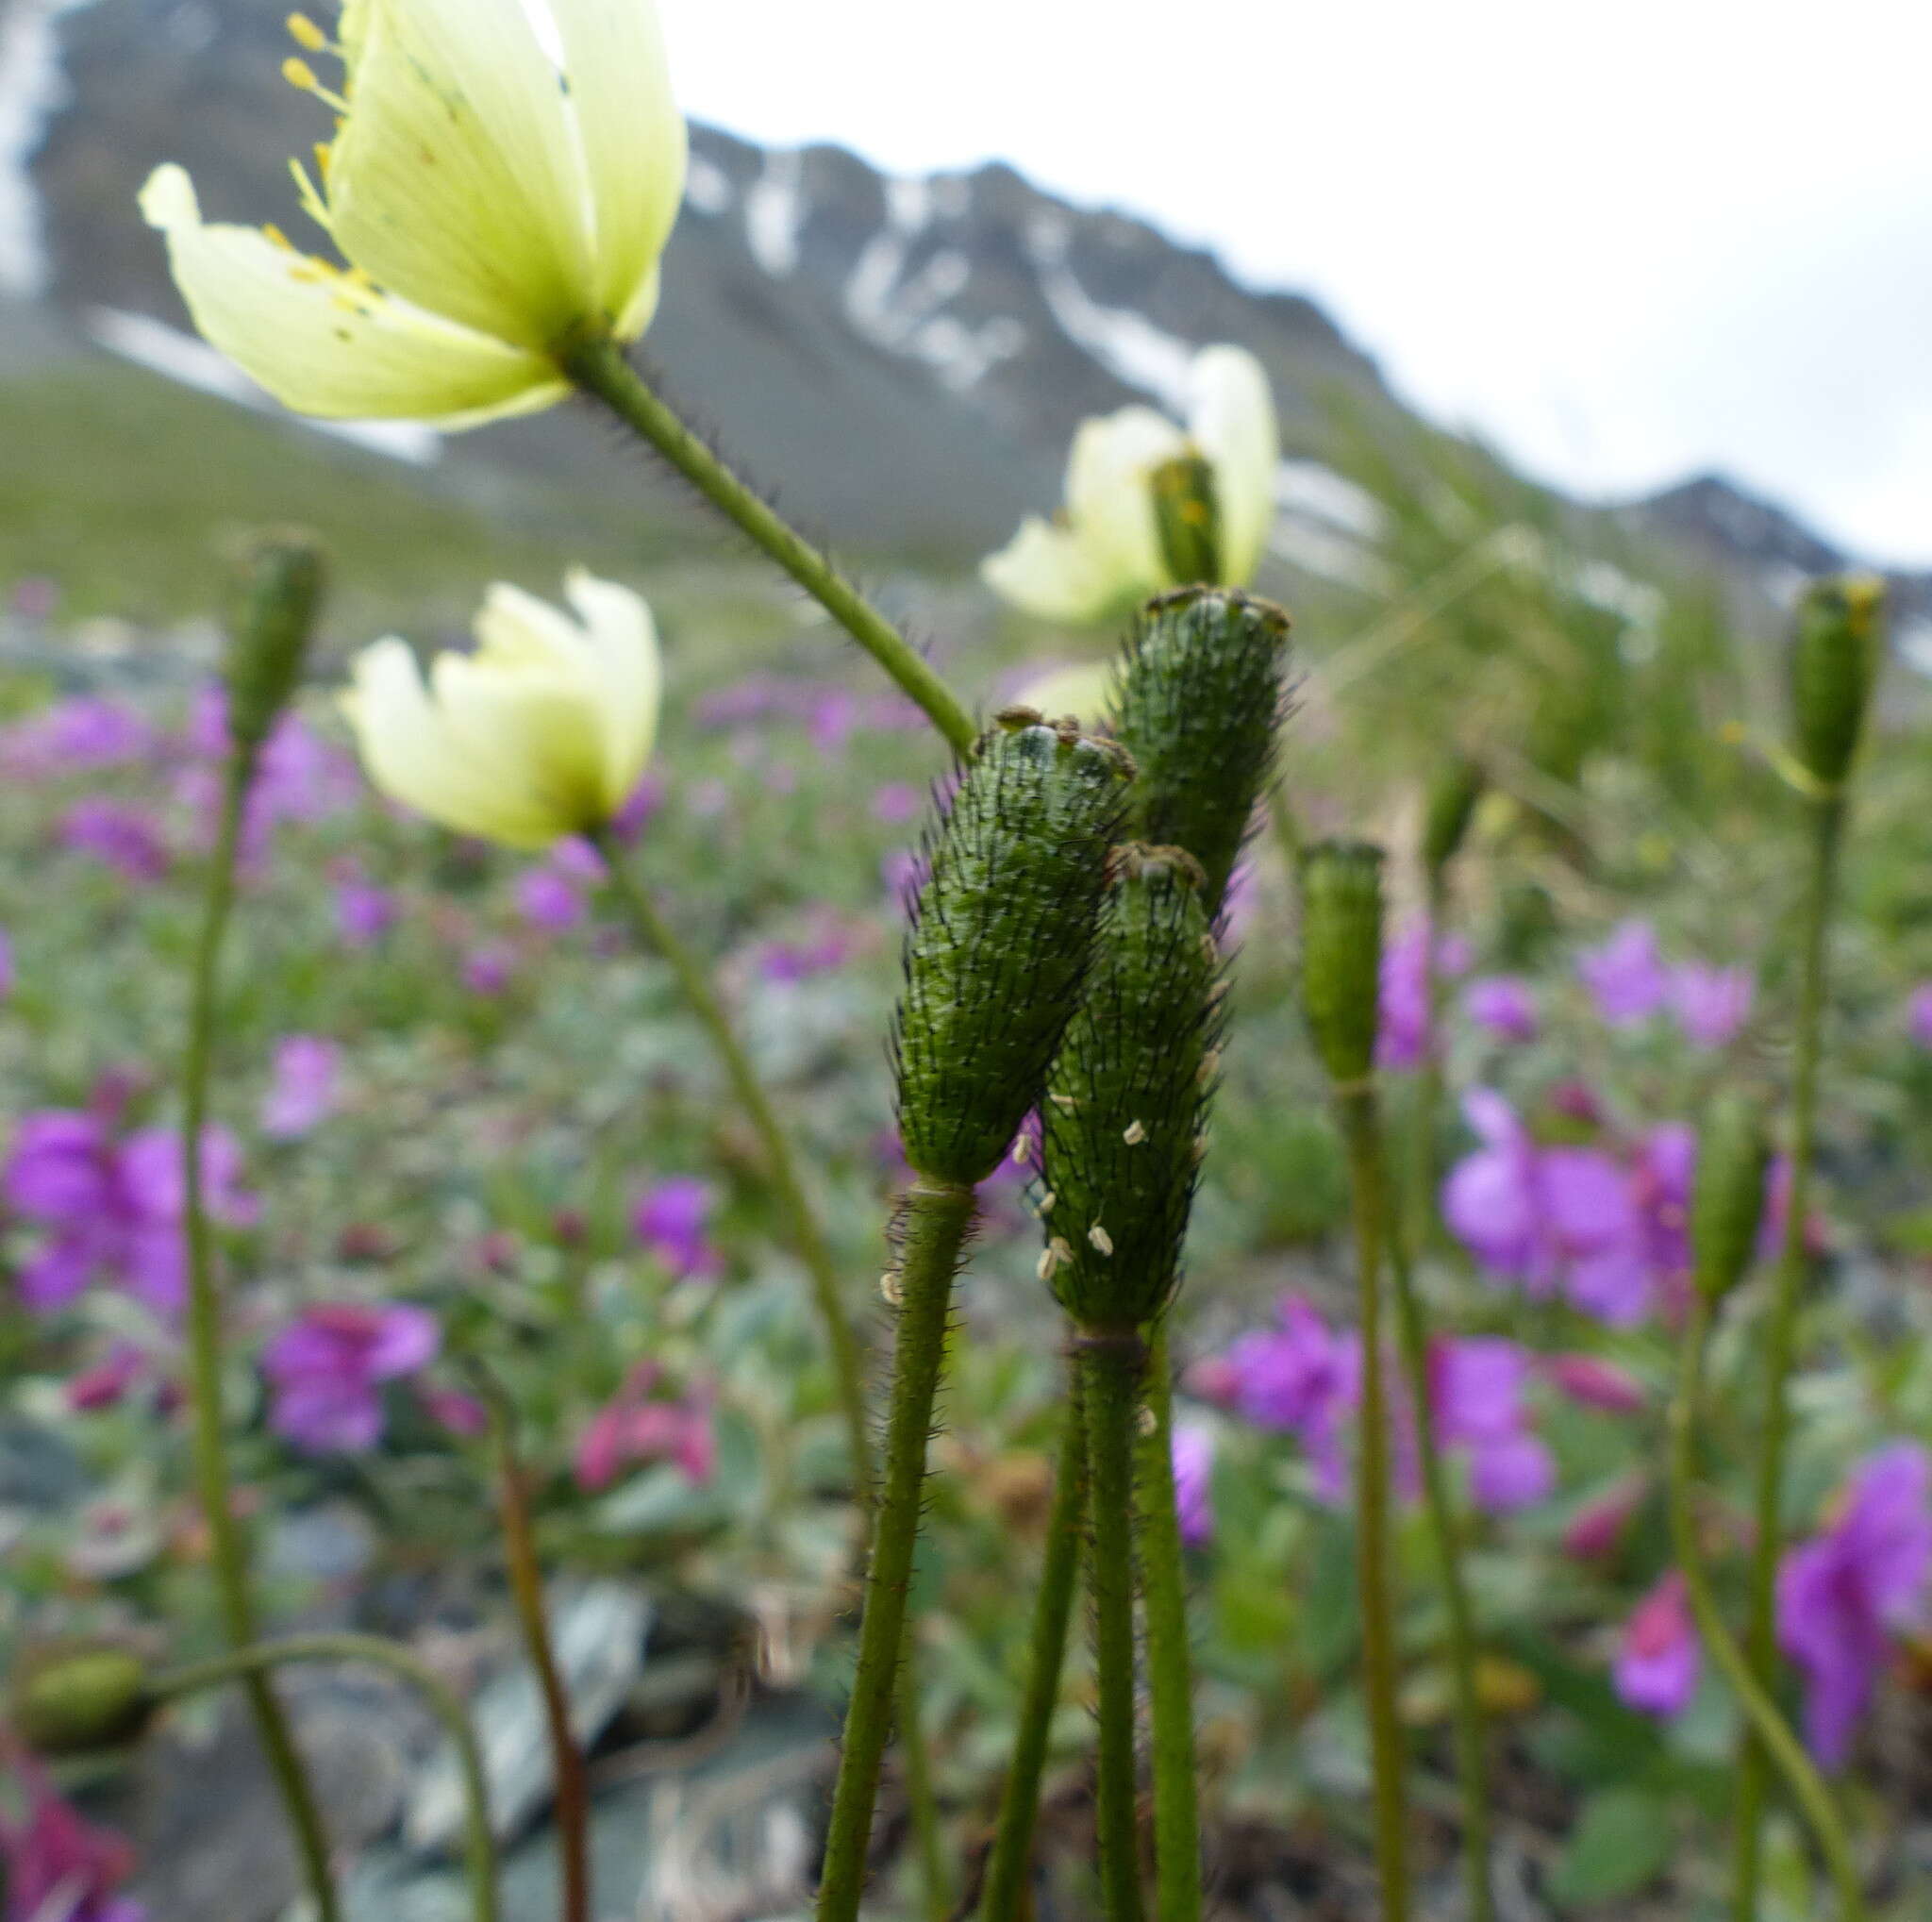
(326, 345)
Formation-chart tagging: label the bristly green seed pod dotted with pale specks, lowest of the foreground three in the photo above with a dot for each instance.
(1122, 1123)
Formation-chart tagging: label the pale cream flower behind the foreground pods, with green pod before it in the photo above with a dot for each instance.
(1104, 550)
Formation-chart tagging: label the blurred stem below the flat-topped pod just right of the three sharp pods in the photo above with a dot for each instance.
(1380, 1656)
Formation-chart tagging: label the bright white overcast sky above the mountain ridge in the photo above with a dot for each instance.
(1624, 239)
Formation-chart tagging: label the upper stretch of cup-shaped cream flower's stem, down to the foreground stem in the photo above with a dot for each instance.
(801, 1220)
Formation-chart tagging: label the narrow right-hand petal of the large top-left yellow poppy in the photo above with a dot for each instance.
(635, 146)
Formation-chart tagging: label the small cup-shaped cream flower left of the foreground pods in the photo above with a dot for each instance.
(538, 735)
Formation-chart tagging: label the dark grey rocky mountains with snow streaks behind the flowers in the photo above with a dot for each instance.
(903, 358)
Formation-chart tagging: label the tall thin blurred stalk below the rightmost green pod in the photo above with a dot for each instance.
(1780, 1343)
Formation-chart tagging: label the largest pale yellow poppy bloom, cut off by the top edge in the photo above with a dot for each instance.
(496, 200)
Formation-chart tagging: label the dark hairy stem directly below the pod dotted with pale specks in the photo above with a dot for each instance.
(1112, 1367)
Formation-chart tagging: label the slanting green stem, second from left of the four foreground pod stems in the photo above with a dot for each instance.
(1004, 1898)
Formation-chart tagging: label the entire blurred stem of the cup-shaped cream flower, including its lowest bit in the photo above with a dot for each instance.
(810, 1245)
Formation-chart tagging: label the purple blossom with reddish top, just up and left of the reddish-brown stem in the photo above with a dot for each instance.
(327, 1371)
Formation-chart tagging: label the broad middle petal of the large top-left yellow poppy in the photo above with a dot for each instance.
(457, 179)
